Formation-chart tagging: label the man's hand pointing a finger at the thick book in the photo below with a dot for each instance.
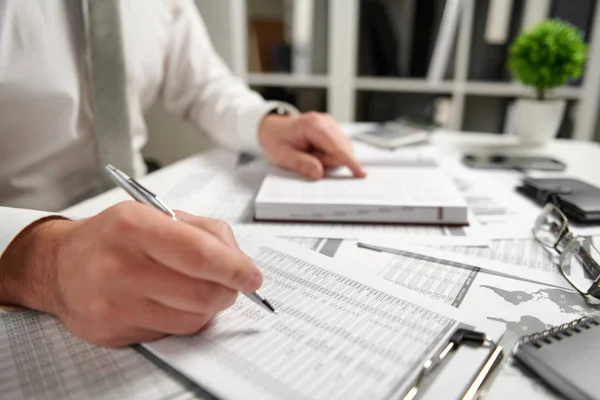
(307, 144)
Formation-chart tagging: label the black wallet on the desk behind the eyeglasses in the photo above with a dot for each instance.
(579, 201)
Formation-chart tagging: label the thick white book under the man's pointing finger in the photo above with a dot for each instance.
(415, 195)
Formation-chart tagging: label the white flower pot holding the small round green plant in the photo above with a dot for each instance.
(537, 121)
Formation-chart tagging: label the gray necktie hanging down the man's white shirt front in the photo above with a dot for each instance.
(108, 75)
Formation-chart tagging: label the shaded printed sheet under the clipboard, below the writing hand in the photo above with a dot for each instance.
(42, 360)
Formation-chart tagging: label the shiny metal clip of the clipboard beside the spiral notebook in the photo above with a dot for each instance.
(459, 338)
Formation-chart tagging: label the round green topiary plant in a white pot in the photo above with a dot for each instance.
(544, 58)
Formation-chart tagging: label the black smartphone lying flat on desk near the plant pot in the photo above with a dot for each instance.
(499, 161)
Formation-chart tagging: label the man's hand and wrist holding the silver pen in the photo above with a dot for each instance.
(129, 274)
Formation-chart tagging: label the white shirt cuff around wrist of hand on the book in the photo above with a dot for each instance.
(250, 122)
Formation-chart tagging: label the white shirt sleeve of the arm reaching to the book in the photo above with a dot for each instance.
(199, 86)
